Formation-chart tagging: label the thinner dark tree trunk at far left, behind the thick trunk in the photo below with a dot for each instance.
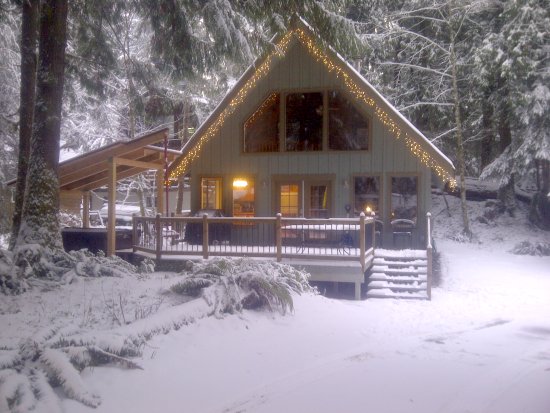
(29, 37)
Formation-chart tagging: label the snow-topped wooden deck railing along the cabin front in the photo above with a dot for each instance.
(276, 237)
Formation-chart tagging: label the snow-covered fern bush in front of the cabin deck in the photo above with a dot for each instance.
(231, 284)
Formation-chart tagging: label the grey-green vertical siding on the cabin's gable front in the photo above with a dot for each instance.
(222, 156)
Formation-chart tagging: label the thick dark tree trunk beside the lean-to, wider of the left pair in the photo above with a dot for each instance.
(39, 220)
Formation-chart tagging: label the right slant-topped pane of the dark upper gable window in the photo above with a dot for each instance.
(348, 128)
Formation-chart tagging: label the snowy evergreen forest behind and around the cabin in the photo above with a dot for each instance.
(473, 76)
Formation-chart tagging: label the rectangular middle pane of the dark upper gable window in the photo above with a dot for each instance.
(304, 122)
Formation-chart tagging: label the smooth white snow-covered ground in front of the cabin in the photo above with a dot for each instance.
(481, 345)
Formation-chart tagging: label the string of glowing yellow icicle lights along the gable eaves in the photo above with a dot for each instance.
(359, 93)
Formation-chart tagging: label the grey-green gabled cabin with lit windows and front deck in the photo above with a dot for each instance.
(303, 138)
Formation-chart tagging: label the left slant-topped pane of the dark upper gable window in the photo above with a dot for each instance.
(261, 130)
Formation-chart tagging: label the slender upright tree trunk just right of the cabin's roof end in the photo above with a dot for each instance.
(459, 143)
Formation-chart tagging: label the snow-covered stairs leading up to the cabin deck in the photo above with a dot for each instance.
(398, 274)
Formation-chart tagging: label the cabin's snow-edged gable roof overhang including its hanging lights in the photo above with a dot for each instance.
(399, 126)
